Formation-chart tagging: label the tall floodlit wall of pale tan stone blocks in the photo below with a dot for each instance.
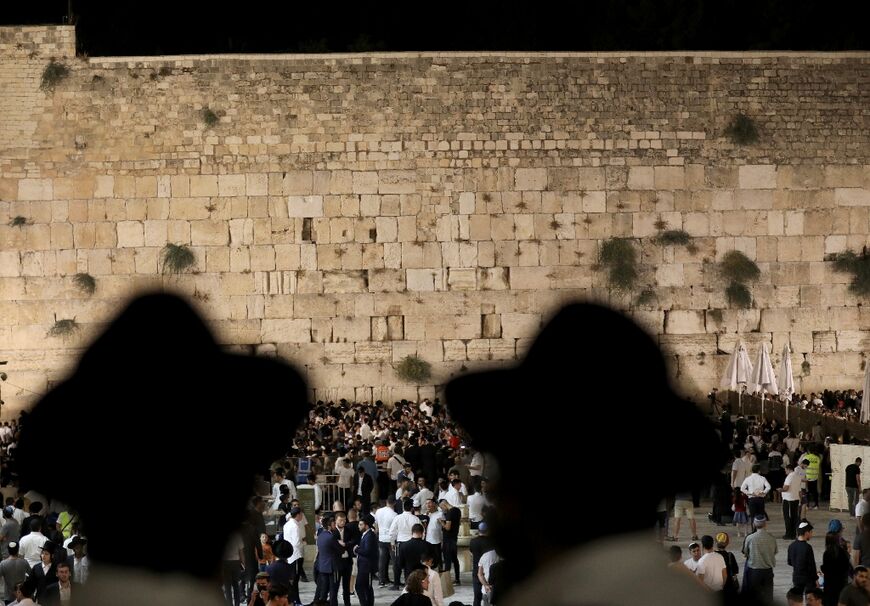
(349, 210)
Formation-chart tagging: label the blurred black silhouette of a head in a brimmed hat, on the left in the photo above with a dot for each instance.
(165, 414)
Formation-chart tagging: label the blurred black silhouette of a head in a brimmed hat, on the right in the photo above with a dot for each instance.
(592, 387)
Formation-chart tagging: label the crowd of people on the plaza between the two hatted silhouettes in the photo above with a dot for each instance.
(403, 474)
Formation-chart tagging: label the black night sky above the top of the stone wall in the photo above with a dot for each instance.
(119, 27)
